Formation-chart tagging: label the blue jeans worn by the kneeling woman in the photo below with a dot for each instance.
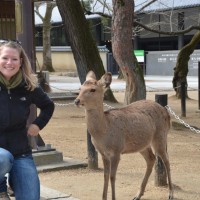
(23, 176)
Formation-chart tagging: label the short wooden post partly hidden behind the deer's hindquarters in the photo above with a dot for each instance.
(160, 172)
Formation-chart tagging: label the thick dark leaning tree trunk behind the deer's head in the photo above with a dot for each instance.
(83, 46)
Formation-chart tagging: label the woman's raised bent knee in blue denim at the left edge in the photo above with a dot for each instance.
(6, 161)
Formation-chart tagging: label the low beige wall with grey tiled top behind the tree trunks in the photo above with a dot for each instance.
(63, 60)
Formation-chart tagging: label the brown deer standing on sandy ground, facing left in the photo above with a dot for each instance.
(141, 126)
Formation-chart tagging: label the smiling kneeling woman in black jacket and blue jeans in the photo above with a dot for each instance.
(19, 90)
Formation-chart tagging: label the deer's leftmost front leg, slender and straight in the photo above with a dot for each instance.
(106, 164)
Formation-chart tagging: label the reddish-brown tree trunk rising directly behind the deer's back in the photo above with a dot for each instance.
(122, 46)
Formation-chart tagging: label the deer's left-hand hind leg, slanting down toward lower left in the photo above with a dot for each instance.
(150, 160)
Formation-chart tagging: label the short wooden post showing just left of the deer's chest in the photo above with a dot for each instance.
(92, 154)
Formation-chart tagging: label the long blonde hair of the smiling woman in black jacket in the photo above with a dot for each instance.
(27, 72)
